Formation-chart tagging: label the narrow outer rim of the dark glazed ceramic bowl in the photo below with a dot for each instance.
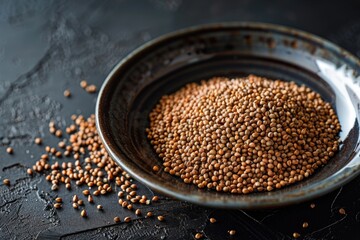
(311, 191)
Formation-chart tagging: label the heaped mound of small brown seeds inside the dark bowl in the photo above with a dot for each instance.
(243, 135)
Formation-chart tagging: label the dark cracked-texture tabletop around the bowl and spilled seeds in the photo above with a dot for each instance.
(49, 46)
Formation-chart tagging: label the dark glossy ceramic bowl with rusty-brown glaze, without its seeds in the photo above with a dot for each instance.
(165, 64)
